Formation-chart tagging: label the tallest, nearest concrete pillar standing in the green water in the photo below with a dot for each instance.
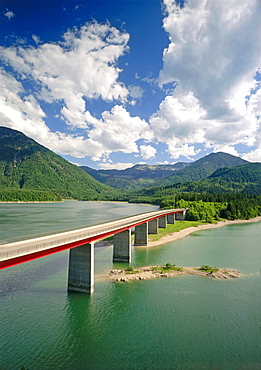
(81, 269)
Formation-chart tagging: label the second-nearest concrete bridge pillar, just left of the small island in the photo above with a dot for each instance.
(122, 247)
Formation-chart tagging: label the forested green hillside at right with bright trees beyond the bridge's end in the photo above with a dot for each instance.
(232, 193)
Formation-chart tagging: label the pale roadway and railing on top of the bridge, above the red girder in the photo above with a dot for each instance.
(23, 247)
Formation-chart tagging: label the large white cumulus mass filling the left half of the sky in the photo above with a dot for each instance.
(83, 66)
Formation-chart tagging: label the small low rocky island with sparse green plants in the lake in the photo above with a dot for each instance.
(169, 270)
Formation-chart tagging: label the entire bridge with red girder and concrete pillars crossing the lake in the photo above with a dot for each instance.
(80, 242)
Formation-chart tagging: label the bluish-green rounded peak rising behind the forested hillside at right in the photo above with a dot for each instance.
(202, 168)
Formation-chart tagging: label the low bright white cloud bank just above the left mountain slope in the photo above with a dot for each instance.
(116, 131)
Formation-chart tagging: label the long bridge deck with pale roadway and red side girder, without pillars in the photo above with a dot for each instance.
(26, 250)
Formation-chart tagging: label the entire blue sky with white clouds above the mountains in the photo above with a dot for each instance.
(110, 84)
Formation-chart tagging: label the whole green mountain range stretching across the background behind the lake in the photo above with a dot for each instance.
(25, 164)
